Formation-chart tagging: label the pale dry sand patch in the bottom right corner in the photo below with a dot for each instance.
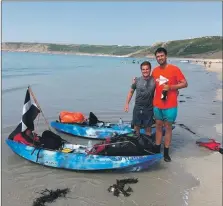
(208, 170)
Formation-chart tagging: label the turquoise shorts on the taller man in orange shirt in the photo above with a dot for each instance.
(168, 115)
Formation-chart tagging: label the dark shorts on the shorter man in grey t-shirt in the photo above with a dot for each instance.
(142, 117)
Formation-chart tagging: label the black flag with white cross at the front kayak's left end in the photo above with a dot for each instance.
(29, 114)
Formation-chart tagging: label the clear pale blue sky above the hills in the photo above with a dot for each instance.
(131, 23)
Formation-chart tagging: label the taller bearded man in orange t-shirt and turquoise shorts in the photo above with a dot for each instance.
(169, 79)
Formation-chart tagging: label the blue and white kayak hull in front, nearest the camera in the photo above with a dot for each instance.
(80, 160)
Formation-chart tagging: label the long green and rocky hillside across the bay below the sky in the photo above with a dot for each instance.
(203, 47)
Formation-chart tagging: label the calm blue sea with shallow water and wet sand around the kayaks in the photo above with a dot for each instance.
(100, 85)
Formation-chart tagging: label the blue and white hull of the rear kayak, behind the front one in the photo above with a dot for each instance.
(96, 132)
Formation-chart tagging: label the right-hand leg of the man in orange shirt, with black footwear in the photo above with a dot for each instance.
(167, 140)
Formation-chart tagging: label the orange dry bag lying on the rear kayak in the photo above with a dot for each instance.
(71, 117)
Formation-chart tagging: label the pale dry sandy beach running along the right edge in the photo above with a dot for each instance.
(208, 170)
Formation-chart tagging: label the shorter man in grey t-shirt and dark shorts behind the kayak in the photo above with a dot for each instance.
(143, 109)
